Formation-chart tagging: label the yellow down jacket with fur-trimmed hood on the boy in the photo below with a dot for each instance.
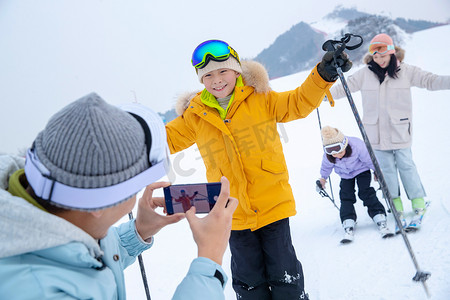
(246, 147)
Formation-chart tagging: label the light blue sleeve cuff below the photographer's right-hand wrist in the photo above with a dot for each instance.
(200, 282)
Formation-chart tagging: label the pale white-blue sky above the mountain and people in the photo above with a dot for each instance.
(56, 51)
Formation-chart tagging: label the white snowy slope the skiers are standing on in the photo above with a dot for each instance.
(369, 268)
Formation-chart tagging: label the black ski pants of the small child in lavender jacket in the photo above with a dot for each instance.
(365, 192)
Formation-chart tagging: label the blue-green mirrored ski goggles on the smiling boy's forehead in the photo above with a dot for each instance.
(212, 50)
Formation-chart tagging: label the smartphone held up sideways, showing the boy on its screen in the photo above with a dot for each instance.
(181, 197)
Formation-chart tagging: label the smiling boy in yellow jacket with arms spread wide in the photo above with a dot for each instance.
(233, 121)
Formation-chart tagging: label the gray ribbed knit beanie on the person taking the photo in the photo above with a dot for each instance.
(92, 144)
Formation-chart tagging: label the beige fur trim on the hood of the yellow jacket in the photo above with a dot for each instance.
(253, 74)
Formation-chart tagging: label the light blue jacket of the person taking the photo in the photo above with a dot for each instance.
(43, 256)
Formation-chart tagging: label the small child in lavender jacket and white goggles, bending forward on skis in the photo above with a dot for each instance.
(349, 158)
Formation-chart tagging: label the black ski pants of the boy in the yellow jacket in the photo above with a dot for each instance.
(264, 265)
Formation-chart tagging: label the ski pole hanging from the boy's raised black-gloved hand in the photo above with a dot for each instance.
(330, 46)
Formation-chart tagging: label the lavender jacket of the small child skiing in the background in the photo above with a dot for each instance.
(348, 167)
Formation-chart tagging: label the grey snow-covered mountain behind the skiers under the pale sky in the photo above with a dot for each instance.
(299, 48)
